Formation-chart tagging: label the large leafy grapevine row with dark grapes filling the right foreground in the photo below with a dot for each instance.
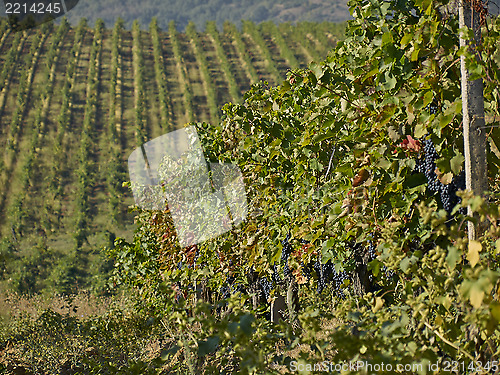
(352, 169)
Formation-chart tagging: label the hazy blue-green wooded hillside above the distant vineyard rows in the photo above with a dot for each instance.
(198, 11)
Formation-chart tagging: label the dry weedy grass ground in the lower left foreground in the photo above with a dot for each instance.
(77, 334)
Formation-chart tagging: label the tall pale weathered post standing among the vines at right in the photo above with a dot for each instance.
(473, 115)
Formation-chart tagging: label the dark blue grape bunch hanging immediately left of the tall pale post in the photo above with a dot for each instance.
(427, 165)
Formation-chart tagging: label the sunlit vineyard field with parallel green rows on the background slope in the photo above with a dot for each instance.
(74, 102)
